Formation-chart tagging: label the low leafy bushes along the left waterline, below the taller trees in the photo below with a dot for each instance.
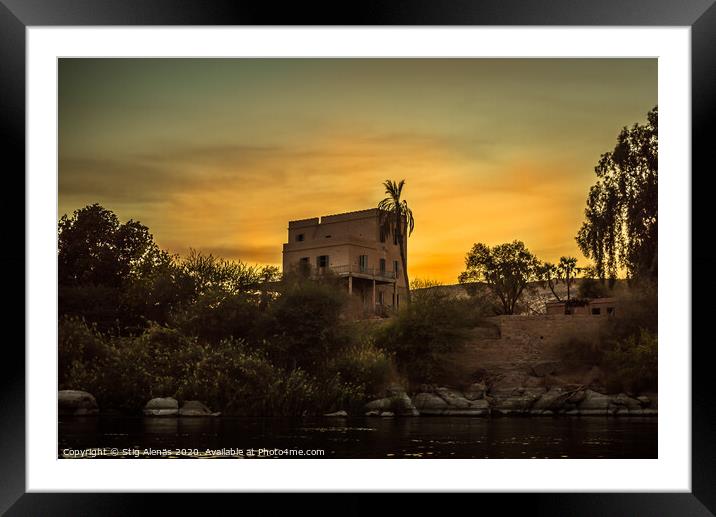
(125, 372)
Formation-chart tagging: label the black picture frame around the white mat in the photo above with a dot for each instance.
(17, 15)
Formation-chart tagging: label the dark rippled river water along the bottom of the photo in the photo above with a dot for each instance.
(361, 437)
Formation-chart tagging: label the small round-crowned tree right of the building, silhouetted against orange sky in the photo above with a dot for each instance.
(505, 268)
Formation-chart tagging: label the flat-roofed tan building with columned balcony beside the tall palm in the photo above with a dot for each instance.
(351, 246)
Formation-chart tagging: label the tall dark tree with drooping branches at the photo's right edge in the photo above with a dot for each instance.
(620, 230)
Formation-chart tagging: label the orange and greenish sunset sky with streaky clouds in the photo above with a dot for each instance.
(219, 154)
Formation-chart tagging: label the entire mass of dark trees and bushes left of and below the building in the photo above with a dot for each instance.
(136, 323)
